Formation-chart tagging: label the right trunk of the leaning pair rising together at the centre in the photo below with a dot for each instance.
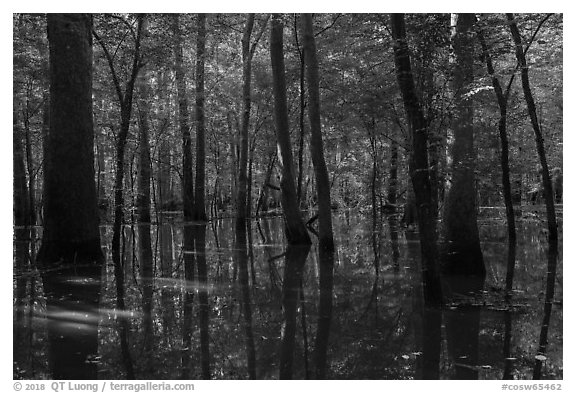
(316, 144)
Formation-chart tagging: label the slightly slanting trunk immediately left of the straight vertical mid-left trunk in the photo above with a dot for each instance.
(183, 118)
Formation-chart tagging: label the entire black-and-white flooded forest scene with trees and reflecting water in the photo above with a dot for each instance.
(287, 196)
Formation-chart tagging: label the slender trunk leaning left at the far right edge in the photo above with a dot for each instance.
(548, 194)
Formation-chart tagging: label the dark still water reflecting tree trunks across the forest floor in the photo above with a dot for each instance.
(269, 312)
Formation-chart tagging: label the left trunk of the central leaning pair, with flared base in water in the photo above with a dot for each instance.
(295, 229)
